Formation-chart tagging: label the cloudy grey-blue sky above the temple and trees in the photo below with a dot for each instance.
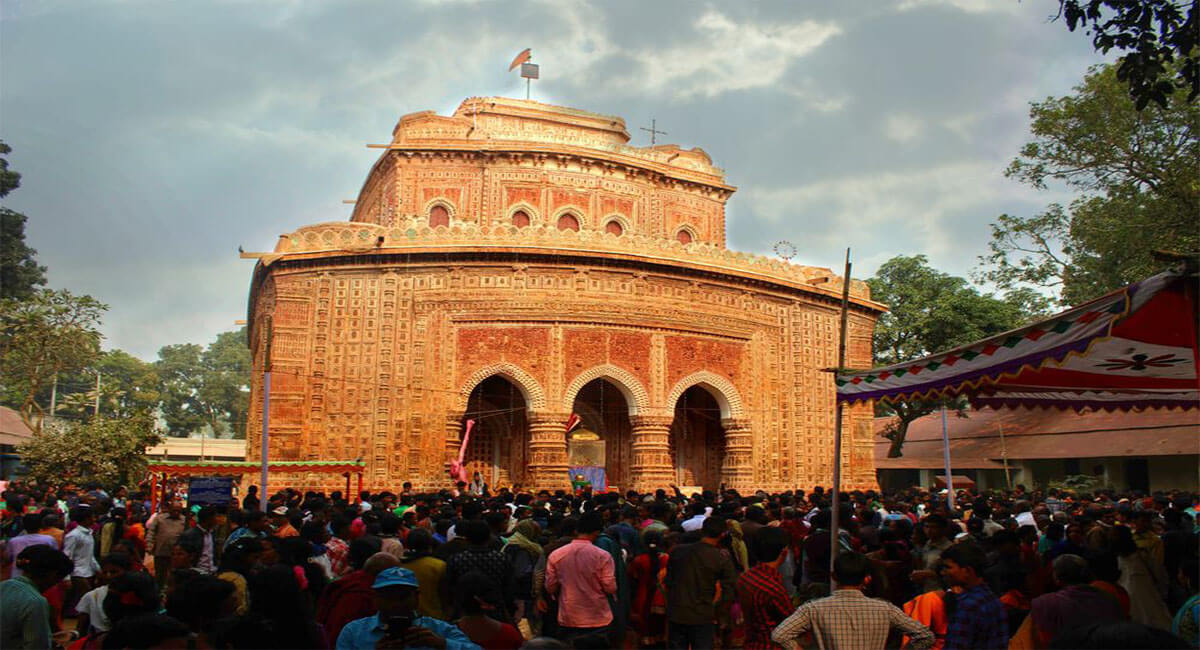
(154, 139)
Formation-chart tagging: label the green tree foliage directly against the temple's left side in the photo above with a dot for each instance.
(206, 387)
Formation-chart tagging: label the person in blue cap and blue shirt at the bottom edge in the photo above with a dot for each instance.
(398, 624)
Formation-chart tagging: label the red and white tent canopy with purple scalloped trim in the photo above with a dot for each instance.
(1132, 350)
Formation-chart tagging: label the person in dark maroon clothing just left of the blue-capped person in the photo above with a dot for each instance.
(351, 597)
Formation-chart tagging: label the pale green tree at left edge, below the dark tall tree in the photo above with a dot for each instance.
(45, 336)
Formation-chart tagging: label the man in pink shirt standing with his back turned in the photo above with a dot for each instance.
(581, 577)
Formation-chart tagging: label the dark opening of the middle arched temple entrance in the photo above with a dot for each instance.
(605, 412)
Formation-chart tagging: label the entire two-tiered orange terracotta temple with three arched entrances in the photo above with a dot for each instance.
(518, 263)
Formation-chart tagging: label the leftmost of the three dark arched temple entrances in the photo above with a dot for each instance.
(501, 437)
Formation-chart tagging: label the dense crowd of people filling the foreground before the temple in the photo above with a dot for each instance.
(465, 569)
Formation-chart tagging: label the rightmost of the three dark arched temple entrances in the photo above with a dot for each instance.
(698, 440)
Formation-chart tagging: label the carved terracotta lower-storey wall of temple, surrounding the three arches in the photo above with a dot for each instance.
(376, 362)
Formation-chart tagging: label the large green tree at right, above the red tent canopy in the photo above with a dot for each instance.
(1139, 192)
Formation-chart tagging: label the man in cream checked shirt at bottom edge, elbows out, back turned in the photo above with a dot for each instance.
(849, 621)
